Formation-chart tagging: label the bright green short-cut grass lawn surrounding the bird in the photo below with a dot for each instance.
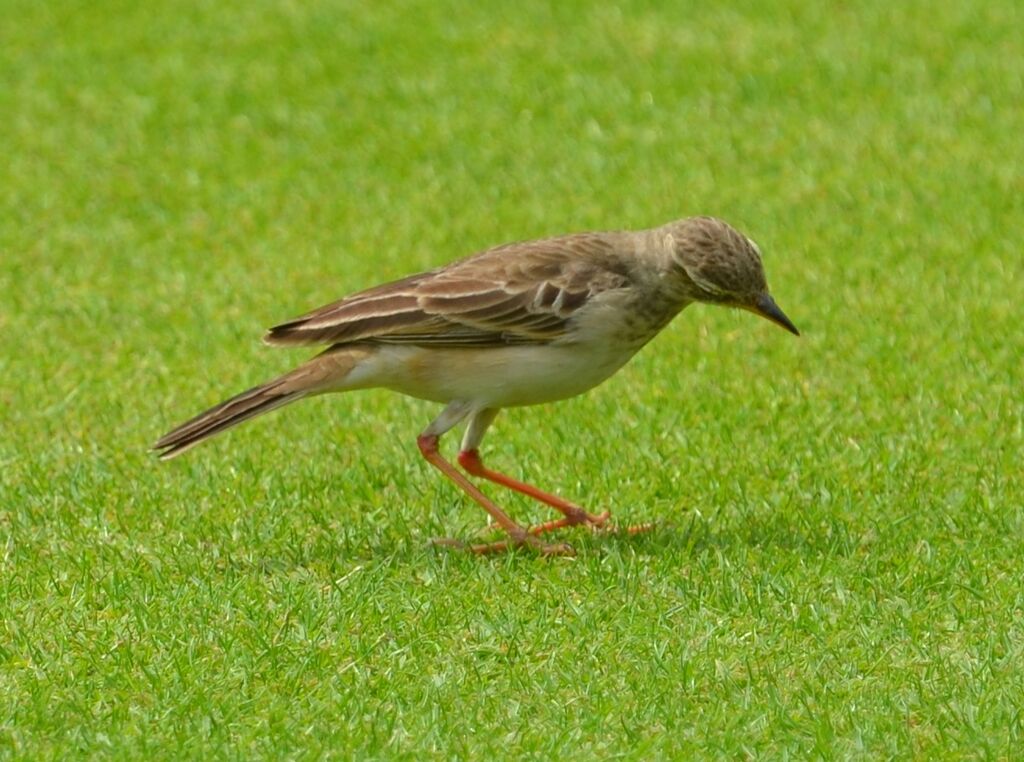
(838, 568)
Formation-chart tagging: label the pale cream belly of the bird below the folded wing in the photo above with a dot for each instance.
(496, 377)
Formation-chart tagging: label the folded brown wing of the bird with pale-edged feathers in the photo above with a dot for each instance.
(515, 294)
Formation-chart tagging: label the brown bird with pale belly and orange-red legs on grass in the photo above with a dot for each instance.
(517, 325)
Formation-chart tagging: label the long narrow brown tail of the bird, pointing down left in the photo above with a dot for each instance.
(320, 374)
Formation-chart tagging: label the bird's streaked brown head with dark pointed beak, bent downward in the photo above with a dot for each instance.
(723, 268)
